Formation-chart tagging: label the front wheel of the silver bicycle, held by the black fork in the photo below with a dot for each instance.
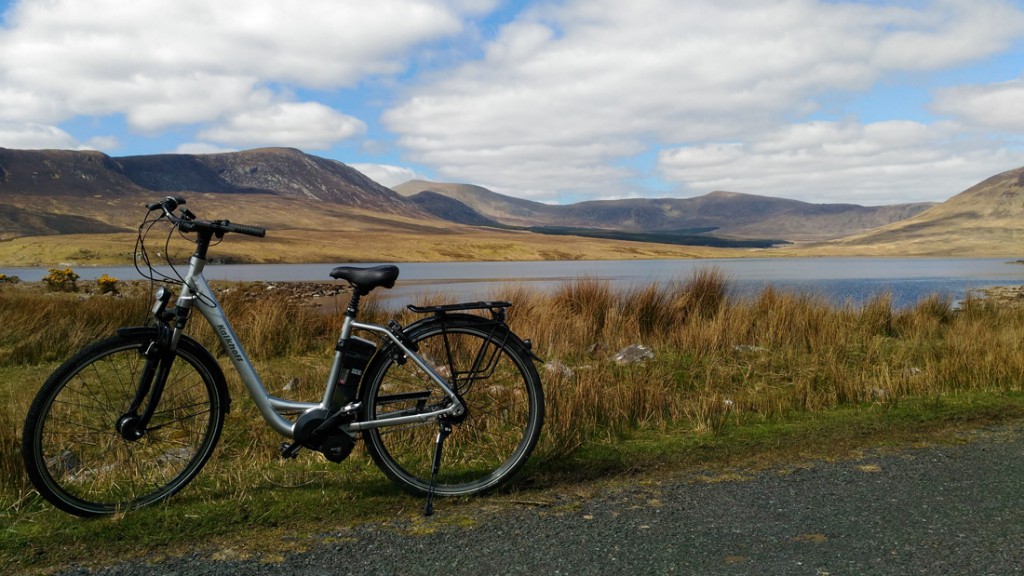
(75, 456)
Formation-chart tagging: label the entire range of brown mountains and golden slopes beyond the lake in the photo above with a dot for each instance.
(55, 193)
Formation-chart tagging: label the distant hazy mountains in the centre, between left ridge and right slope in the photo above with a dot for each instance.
(727, 215)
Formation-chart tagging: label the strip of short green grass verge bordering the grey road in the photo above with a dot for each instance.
(290, 507)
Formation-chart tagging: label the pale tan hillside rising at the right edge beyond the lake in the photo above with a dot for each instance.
(987, 219)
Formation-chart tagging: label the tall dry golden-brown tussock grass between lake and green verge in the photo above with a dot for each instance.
(719, 362)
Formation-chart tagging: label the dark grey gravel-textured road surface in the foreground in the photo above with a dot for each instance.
(951, 510)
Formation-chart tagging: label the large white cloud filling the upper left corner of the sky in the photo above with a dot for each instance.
(166, 64)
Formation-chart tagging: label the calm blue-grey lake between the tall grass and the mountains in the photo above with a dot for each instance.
(840, 280)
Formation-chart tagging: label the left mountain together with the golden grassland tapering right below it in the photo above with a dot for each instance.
(80, 209)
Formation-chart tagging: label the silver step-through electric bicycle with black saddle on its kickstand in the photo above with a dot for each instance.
(132, 420)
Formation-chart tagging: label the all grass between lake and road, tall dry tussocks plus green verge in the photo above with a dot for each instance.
(733, 381)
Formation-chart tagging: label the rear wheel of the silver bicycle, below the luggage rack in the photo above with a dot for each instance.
(497, 383)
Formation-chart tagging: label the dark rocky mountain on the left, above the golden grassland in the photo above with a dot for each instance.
(67, 192)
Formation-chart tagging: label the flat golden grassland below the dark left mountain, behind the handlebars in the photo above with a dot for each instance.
(313, 232)
